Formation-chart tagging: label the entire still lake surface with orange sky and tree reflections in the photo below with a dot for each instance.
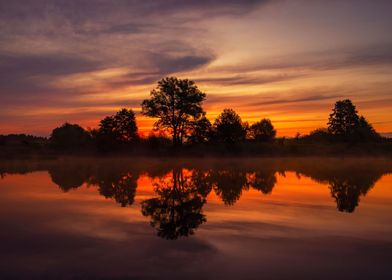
(196, 219)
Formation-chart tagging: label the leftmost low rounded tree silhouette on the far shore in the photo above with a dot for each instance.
(69, 136)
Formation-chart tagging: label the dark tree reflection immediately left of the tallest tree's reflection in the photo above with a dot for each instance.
(121, 186)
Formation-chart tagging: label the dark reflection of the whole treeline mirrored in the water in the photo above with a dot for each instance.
(180, 194)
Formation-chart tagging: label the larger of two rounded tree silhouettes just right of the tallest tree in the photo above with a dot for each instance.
(228, 127)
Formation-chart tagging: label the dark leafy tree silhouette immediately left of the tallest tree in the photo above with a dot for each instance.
(118, 129)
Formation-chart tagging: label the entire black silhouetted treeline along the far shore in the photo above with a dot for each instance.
(183, 128)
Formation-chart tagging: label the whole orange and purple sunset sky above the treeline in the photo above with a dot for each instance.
(286, 60)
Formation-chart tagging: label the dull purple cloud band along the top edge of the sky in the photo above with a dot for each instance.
(82, 11)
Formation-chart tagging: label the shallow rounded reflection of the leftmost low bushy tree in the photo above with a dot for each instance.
(69, 176)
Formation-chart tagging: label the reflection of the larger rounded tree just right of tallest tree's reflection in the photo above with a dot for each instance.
(228, 184)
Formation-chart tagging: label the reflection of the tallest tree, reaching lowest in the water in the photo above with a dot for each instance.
(178, 209)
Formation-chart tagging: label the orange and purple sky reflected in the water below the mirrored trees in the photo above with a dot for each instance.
(294, 231)
